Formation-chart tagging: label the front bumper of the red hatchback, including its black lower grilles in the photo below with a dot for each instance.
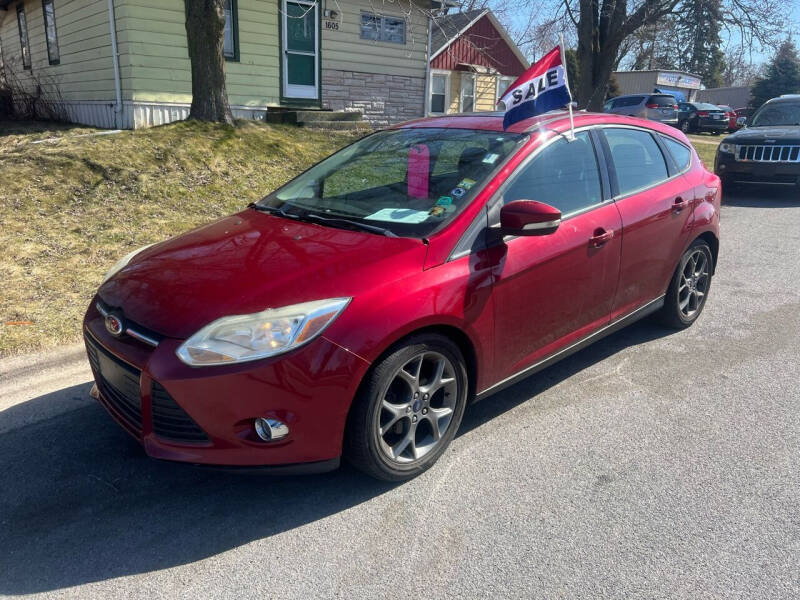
(205, 415)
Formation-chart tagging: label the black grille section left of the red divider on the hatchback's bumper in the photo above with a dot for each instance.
(118, 383)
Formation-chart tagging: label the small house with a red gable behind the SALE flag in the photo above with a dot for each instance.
(473, 61)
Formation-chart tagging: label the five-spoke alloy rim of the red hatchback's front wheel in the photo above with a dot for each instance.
(417, 407)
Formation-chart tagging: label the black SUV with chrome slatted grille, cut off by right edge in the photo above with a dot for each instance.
(767, 150)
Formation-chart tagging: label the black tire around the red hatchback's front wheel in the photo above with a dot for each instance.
(365, 446)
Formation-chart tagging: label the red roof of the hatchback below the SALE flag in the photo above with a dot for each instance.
(557, 120)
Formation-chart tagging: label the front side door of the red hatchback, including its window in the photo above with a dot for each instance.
(551, 290)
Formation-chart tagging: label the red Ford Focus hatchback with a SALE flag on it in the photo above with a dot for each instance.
(358, 309)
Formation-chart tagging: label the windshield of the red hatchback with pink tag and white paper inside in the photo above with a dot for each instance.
(408, 182)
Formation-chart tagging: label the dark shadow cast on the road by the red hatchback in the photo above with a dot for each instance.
(80, 502)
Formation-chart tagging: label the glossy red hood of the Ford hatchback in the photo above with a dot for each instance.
(249, 262)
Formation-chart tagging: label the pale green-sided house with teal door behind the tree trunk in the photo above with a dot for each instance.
(125, 63)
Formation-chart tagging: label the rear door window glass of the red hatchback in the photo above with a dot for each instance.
(637, 159)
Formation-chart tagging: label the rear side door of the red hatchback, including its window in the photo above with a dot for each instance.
(655, 201)
